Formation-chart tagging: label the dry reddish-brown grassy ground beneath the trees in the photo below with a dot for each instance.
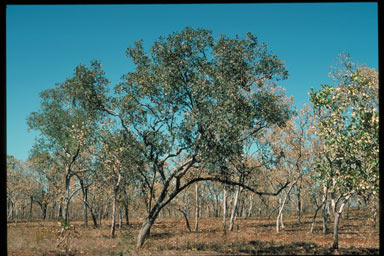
(253, 236)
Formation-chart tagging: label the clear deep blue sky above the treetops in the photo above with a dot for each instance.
(44, 43)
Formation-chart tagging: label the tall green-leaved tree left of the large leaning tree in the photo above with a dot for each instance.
(66, 128)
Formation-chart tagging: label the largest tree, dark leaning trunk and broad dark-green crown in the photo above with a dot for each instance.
(190, 104)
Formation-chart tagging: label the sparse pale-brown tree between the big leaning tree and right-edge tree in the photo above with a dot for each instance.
(296, 146)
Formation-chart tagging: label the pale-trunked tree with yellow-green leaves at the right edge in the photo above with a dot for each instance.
(349, 126)
